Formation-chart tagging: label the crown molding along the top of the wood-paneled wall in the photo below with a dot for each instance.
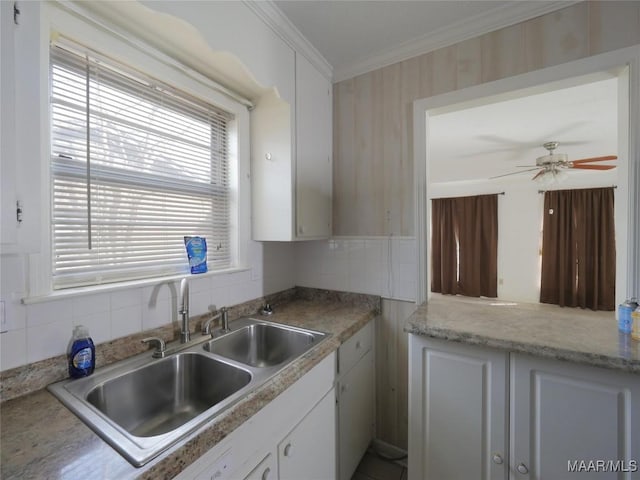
(466, 29)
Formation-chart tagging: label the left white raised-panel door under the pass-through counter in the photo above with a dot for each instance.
(457, 407)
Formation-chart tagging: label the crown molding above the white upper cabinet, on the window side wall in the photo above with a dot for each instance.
(280, 23)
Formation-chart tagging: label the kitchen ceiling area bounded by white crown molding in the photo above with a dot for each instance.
(356, 36)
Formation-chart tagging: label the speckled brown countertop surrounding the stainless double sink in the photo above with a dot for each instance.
(40, 438)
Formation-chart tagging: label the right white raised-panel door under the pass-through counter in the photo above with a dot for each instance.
(565, 413)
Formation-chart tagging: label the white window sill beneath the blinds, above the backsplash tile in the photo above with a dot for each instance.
(113, 287)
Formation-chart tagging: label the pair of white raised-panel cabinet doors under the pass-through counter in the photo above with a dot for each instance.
(482, 413)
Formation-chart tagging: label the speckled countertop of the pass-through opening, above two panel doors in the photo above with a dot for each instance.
(581, 336)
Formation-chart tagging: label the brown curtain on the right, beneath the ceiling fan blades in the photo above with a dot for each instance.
(578, 249)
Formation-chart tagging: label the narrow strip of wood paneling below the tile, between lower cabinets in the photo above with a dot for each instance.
(392, 369)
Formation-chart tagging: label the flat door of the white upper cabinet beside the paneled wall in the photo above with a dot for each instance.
(313, 152)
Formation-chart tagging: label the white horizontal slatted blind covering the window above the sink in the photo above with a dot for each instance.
(135, 167)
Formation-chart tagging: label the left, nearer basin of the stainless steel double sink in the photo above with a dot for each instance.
(164, 395)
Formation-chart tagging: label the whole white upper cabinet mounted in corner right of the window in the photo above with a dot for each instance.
(291, 170)
